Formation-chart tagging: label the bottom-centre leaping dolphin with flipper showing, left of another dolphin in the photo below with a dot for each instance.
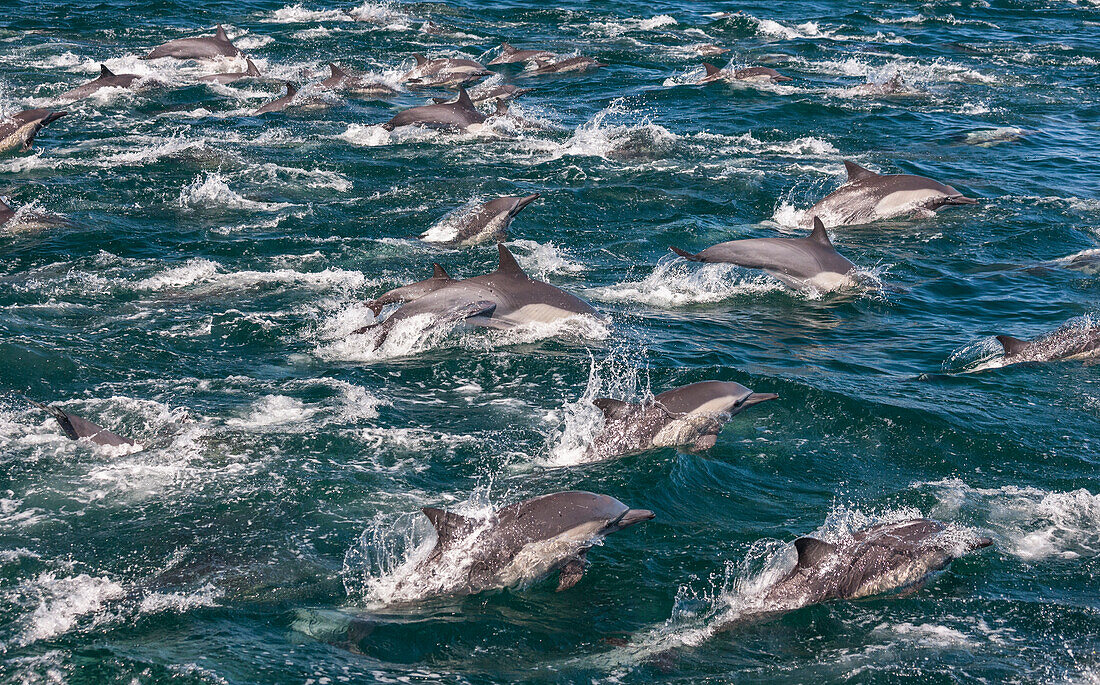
(527, 542)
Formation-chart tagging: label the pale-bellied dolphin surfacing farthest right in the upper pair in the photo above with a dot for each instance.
(868, 197)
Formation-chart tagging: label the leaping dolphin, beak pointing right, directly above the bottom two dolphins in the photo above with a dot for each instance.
(692, 415)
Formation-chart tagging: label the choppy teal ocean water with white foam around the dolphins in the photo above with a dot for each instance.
(206, 268)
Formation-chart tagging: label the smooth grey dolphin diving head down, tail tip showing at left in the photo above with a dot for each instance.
(798, 262)
